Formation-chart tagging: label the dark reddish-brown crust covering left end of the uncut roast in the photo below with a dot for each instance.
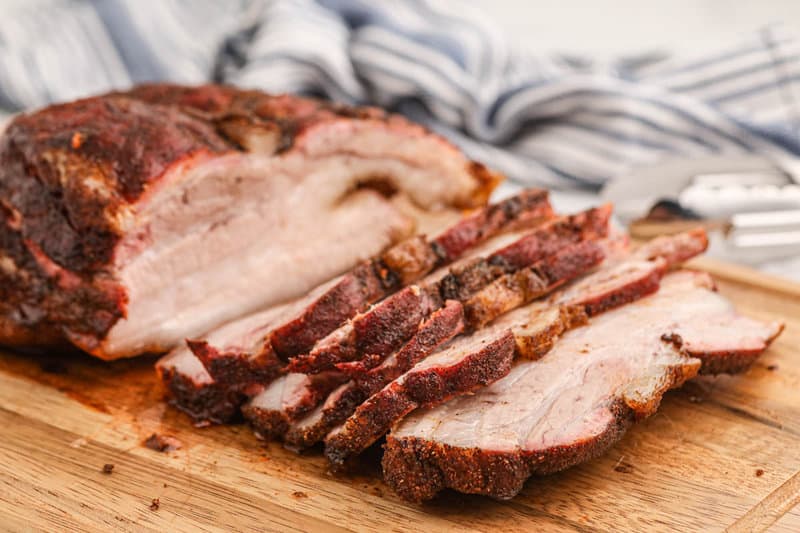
(59, 232)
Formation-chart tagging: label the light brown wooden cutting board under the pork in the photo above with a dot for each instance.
(722, 452)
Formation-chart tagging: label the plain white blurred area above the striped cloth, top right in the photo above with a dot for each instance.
(608, 29)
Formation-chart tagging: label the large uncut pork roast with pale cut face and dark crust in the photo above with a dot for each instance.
(131, 221)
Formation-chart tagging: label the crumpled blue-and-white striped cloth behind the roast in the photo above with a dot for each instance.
(542, 120)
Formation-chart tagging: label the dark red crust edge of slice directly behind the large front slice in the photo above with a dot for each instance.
(419, 388)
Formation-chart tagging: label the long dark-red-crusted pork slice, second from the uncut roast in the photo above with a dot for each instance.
(388, 324)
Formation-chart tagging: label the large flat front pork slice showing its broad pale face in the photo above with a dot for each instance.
(577, 400)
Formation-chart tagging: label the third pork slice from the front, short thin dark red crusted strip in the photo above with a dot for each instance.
(436, 330)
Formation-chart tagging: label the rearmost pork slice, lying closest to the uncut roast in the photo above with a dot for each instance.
(328, 307)
